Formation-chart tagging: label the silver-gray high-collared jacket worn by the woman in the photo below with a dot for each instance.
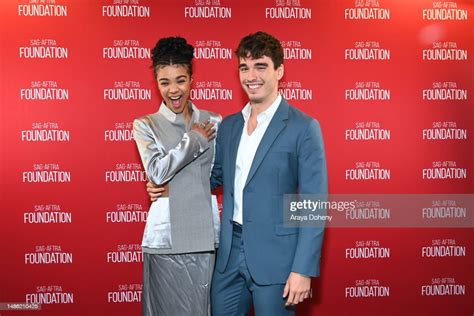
(187, 221)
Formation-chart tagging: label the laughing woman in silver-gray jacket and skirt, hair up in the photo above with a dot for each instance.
(176, 145)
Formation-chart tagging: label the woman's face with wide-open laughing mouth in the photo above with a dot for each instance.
(174, 84)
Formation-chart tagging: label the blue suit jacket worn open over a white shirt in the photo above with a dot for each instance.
(289, 159)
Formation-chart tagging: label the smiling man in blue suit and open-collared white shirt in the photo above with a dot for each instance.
(263, 152)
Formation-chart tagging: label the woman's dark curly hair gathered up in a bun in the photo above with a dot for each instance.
(172, 51)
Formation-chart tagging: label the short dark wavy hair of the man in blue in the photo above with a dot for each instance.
(261, 44)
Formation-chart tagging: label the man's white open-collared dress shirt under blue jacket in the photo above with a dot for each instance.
(247, 148)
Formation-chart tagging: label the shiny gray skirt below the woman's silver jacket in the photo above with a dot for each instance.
(177, 285)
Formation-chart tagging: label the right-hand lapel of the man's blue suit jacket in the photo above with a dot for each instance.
(277, 124)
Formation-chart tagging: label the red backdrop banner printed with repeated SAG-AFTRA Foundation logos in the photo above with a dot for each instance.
(391, 83)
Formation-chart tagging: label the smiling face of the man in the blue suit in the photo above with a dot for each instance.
(259, 79)
